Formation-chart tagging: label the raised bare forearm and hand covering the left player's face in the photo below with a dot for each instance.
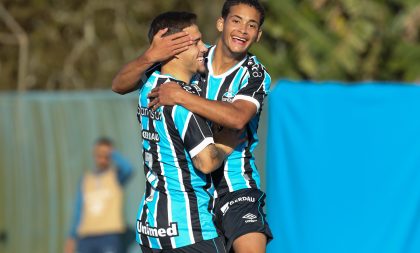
(129, 77)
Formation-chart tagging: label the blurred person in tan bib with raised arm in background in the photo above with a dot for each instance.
(98, 223)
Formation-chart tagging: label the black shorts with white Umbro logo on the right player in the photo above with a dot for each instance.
(239, 213)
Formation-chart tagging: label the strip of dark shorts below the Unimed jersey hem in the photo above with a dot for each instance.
(216, 245)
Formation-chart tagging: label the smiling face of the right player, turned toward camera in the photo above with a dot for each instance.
(240, 29)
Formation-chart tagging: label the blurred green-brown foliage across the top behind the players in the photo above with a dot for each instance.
(81, 44)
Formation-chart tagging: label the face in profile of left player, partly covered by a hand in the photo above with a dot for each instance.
(193, 58)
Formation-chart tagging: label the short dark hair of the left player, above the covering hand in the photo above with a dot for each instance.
(175, 21)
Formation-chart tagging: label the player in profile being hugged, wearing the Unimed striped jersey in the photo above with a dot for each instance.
(178, 151)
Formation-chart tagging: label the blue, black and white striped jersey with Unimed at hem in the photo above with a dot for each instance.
(176, 208)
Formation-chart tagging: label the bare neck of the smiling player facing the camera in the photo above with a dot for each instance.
(224, 59)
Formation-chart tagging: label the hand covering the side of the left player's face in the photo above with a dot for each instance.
(163, 48)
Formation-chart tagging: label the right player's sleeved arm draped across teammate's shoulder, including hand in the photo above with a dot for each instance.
(233, 115)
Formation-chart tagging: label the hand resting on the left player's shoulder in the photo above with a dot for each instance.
(166, 94)
